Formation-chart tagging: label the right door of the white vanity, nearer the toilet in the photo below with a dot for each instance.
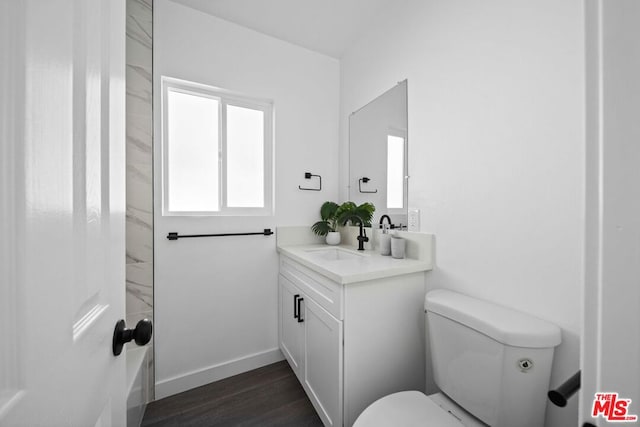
(323, 362)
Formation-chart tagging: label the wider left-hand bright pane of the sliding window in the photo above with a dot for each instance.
(193, 148)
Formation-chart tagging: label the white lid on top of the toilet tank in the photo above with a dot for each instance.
(505, 325)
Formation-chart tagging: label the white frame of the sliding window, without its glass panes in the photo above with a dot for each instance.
(225, 98)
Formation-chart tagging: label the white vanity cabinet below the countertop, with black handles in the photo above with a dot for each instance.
(351, 343)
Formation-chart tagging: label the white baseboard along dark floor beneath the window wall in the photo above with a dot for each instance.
(217, 372)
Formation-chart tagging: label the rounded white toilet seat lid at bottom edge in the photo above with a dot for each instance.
(406, 409)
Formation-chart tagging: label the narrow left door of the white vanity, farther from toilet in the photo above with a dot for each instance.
(291, 330)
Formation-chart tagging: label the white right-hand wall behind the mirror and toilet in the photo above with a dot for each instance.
(496, 148)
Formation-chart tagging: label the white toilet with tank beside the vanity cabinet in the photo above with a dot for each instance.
(492, 365)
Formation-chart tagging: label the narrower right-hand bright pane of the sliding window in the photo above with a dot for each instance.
(245, 157)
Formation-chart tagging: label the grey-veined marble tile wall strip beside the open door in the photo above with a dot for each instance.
(139, 231)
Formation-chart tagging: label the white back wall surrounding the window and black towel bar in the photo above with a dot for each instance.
(216, 298)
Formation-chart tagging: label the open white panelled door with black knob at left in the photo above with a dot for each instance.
(62, 202)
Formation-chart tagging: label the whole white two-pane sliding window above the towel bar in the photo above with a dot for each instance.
(217, 151)
